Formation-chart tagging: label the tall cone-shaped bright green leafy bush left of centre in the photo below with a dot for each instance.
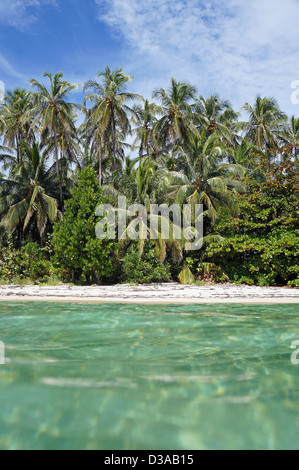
(78, 253)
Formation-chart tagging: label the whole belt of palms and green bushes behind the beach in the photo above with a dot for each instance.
(184, 148)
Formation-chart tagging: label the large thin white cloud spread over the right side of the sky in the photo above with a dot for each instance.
(235, 48)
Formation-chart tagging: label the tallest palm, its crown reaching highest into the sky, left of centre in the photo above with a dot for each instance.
(109, 109)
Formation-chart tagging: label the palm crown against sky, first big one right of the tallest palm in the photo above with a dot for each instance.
(176, 123)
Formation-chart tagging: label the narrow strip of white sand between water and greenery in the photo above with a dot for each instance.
(151, 294)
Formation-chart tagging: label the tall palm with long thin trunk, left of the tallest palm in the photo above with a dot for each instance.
(54, 113)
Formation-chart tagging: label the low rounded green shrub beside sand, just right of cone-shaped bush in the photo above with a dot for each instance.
(145, 269)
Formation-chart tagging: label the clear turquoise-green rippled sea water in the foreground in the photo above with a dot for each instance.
(148, 377)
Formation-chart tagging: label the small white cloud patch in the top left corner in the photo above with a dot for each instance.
(20, 13)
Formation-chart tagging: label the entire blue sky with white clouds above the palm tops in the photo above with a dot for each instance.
(235, 48)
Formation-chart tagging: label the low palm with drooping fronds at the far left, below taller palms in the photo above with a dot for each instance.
(27, 194)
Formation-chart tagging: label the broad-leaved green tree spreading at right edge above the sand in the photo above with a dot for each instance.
(262, 245)
